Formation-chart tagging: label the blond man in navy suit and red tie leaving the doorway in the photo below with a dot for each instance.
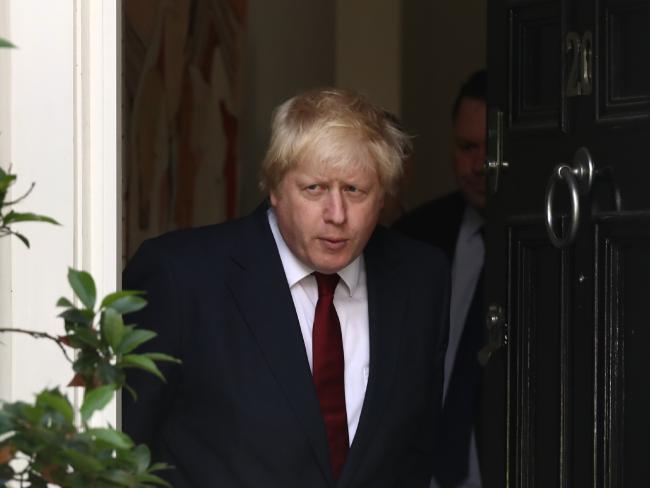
(292, 378)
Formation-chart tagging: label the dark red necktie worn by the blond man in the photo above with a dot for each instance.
(328, 367)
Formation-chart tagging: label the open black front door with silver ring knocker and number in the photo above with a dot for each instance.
(567, 396)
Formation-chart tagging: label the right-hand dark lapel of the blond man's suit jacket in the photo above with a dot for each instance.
(386, 308)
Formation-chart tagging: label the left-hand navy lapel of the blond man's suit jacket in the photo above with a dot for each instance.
(258, 285)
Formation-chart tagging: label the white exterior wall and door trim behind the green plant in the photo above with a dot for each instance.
(58, 129)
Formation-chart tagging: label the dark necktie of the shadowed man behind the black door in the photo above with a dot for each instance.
(460, 409)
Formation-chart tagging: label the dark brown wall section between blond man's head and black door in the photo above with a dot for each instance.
(443, 43)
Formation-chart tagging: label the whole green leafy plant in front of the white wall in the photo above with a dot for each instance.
(46, 443)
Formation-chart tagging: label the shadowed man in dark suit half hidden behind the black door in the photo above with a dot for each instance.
(454, 223)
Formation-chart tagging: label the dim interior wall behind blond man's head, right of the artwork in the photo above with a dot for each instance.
(406, 55)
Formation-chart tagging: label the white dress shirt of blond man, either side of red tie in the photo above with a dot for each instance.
(351, 303)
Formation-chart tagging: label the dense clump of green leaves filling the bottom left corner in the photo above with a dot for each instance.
(52, 450)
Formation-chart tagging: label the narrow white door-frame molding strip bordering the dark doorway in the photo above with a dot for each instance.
(101, 222)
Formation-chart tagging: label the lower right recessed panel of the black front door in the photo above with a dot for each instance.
(623, 242)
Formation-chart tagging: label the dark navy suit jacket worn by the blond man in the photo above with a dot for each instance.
(242, 411)
